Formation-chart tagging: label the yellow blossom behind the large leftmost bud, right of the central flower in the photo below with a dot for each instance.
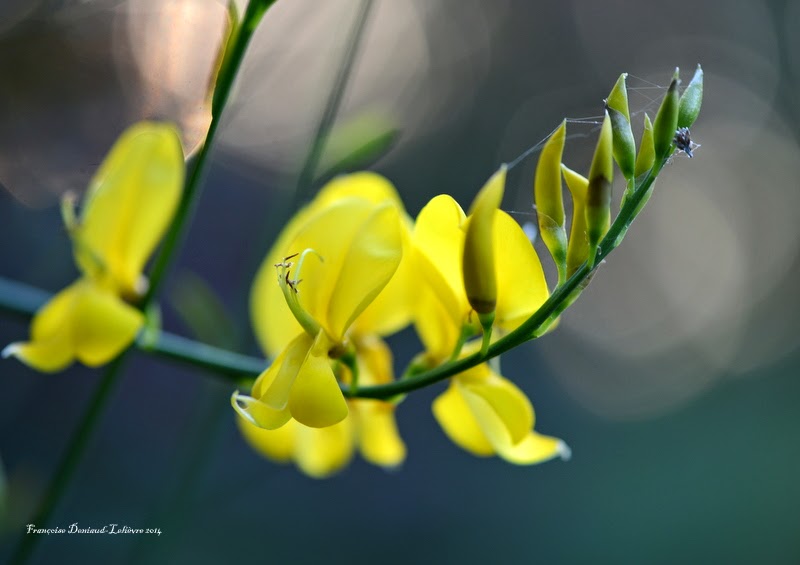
(481, 411)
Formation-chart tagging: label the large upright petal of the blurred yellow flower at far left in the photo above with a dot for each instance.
(130, 203)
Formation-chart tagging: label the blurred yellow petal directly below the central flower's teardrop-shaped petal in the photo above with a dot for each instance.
(320, 452)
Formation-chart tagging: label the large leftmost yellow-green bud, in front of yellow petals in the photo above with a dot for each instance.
(480, 279)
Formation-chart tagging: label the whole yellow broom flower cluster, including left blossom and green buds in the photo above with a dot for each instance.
(352, 268)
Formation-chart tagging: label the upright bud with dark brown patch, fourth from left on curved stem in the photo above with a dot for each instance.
(598, 194)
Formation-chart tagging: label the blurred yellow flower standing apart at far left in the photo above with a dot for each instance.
(128, 206)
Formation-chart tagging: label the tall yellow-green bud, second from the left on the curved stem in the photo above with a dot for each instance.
(549, 200)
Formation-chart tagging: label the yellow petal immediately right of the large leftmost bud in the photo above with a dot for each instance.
(521, 286)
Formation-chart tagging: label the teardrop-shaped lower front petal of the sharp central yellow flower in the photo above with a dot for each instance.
(315, 399)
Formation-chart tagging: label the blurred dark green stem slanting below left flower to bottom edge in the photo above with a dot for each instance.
(71, 458)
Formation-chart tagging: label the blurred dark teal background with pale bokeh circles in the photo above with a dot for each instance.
(674, 379)
